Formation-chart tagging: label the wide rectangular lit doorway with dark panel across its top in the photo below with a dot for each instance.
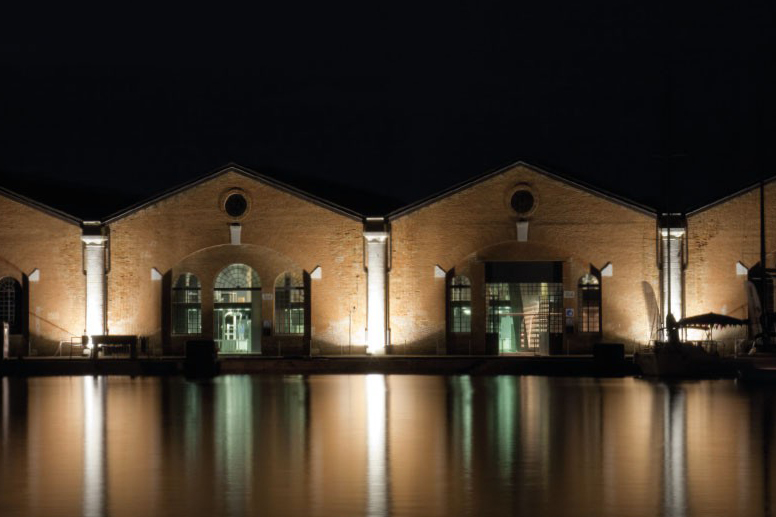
(525, 306)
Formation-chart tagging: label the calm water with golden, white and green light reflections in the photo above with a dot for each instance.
(379, 445)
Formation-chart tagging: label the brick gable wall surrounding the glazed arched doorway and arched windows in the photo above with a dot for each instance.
(281, 231)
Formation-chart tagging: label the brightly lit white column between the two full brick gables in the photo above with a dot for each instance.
(376, 266)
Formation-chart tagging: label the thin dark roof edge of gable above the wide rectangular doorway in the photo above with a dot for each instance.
(488, 175)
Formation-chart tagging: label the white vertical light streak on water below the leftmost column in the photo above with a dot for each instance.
(94, 447)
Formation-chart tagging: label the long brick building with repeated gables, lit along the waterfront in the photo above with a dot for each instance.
(518, 260)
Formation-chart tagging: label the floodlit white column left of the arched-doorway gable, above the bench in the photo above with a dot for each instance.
(94, 268)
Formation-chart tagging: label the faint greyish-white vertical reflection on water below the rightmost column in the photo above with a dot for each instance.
(674, 496)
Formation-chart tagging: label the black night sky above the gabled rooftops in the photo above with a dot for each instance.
(671, 106)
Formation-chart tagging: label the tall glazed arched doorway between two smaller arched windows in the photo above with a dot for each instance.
(237, 310)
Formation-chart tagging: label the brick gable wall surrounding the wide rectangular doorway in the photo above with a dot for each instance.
(477, 224)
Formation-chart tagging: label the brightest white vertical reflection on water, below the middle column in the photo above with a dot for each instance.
(377, 494)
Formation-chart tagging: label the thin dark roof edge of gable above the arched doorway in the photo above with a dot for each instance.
(232, 167)
